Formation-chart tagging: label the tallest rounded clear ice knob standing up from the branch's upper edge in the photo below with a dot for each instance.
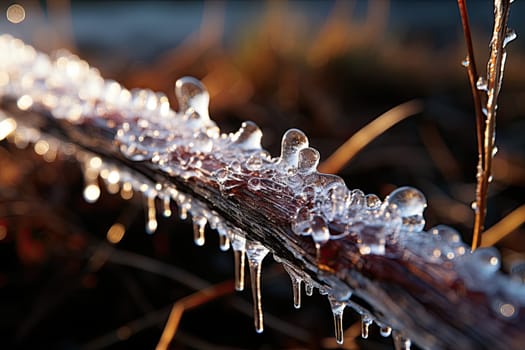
(192, 95)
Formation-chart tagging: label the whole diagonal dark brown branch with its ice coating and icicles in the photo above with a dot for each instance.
(361, 252)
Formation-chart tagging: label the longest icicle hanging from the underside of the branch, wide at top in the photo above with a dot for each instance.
(256, 252)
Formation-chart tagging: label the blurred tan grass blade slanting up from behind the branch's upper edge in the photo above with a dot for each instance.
(367, 134)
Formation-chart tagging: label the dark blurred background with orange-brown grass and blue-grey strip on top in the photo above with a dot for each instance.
(326, 67)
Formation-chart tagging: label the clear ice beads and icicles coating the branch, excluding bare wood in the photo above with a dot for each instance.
(184, 143)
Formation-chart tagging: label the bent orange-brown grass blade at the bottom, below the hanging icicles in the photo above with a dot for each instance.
(190, 302)
